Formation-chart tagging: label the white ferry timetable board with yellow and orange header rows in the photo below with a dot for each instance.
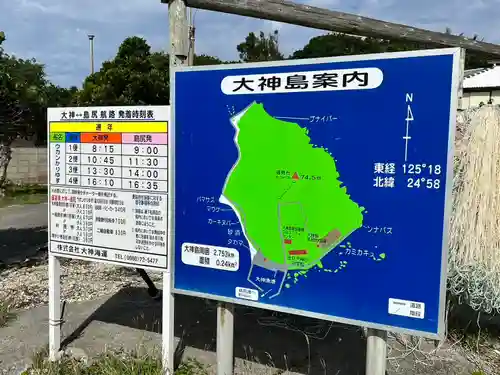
(108, 184)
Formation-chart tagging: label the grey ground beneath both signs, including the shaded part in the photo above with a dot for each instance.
(131, 320)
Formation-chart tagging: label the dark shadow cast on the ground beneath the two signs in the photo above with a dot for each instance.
(258, 334)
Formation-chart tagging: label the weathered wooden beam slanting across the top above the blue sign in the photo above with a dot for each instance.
(324, 19)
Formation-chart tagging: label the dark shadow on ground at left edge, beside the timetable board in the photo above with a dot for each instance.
(16, 245)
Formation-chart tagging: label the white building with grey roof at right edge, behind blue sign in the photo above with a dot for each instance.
(481, 86)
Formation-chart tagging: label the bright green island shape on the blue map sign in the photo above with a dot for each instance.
(287, 194)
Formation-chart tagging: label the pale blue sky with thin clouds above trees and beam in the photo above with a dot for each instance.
(55, 31)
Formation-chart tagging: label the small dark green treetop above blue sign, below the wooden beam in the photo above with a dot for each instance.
(260, 48)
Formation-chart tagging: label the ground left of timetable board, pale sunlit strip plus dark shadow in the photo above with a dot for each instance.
(23, 230)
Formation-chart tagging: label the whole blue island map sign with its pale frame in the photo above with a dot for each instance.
(317, 187)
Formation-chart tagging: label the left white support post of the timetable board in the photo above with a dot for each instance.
(54, 307)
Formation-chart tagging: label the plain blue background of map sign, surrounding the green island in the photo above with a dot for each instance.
(397, 254)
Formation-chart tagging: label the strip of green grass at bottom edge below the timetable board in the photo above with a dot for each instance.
(110, 363)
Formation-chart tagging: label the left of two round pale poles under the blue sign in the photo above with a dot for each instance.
(225, 338)
